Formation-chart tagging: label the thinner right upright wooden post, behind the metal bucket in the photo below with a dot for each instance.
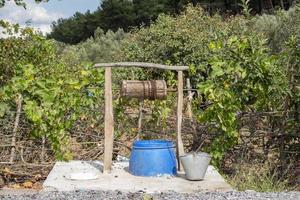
(179, 143)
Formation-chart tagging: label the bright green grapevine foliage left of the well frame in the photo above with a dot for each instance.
(54, 94)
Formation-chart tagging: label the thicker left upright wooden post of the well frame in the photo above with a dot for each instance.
(108, 123)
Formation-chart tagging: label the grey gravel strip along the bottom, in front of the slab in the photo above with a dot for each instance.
(116, 195)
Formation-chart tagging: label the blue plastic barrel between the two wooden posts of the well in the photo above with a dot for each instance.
(152, 158)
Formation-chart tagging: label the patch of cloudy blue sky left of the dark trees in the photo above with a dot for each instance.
(42, 15)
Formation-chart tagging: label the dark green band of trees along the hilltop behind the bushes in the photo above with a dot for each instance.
(125, 14)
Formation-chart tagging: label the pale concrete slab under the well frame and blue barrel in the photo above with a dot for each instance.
(60, 179)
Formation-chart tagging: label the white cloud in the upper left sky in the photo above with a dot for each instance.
(38, 16)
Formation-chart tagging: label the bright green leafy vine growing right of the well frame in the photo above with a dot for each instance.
(242, 78)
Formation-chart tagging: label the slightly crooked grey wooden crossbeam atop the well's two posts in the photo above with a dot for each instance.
(142, 64)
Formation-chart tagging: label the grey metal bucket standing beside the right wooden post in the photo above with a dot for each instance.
(195, 165)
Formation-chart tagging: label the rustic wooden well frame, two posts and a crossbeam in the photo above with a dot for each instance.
(109, 119)
